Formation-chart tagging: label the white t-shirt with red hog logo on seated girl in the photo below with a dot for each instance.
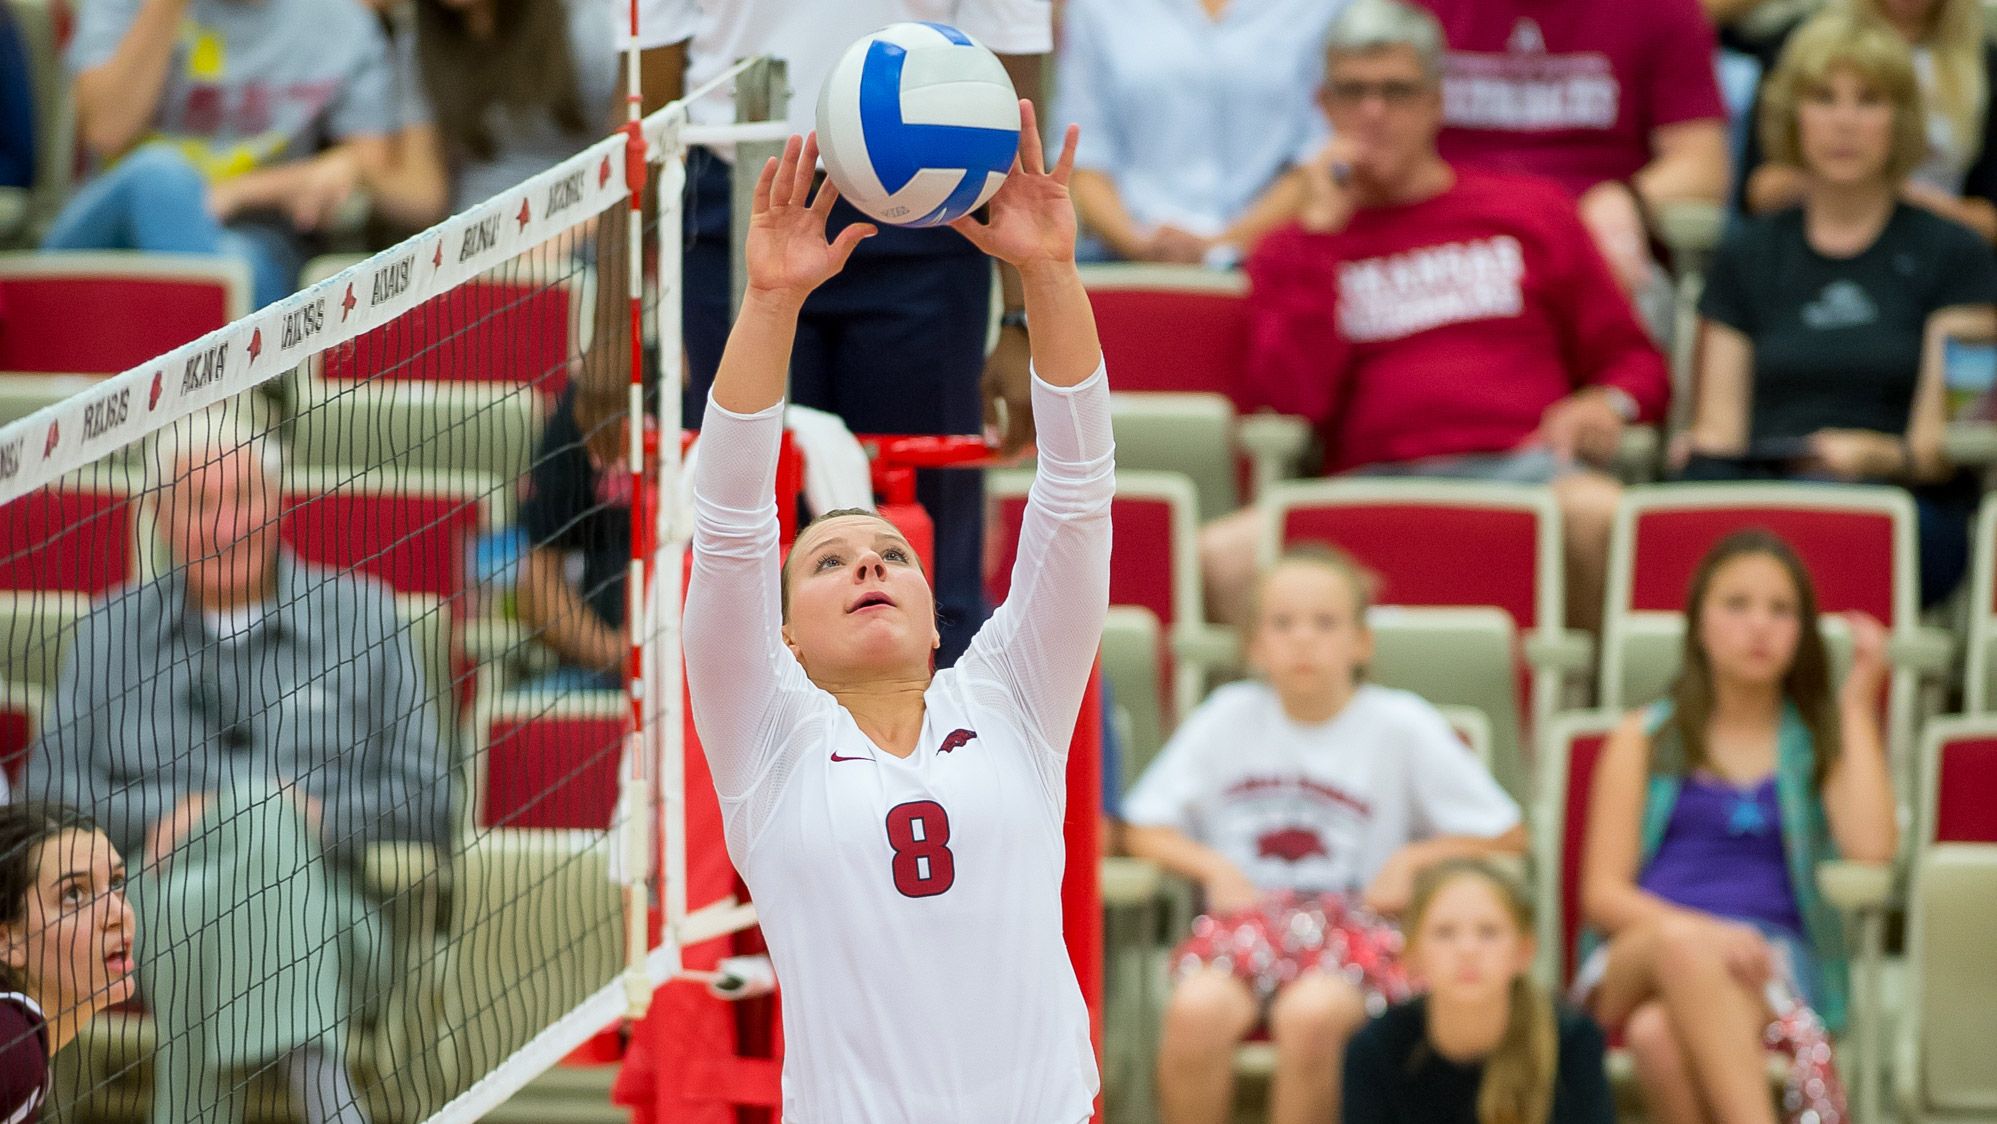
(1317, 808)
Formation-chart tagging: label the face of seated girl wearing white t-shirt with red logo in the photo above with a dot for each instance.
(1309, 638)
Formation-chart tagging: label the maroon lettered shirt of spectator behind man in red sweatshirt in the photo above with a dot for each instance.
(1573, 89)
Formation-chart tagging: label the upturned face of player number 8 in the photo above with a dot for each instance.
(860, 600)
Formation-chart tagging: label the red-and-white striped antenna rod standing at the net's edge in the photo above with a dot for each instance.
(636, 812)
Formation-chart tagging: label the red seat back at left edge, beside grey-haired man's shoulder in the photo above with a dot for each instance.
(67, 538)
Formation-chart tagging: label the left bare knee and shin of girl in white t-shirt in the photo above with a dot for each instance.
(1205, 1019)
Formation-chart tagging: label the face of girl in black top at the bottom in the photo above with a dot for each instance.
(1469, 947)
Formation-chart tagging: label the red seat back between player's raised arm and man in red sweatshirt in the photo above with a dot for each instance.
(1177, 328)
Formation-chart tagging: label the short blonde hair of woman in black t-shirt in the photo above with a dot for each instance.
(1870, 49)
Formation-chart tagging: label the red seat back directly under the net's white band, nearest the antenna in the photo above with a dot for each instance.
(500, 330)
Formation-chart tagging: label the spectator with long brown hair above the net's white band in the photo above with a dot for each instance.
(516, 87)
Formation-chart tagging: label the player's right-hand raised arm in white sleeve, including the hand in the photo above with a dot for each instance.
(1043, 640)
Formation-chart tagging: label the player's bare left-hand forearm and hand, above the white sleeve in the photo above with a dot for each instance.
(786, 257)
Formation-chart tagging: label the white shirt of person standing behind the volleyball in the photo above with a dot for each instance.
(812, 35)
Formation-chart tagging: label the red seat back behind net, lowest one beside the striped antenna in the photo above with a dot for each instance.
(550, 762)
